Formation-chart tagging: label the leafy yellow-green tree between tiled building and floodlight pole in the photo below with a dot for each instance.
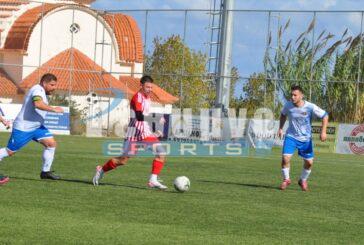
(180, 71)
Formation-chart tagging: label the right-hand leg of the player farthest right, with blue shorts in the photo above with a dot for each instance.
(306, 152)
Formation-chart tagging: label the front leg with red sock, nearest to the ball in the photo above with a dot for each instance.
(158, 163)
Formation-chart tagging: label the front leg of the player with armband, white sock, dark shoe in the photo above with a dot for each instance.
(44, 137)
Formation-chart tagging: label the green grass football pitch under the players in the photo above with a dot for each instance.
(231, 201)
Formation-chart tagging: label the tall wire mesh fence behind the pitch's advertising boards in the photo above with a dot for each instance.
(97, 51)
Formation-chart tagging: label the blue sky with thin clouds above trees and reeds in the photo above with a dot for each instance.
(250, 28)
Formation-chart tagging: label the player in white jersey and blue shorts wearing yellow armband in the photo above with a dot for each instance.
(29, 125)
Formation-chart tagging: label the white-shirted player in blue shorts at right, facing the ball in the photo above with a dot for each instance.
(299, 134)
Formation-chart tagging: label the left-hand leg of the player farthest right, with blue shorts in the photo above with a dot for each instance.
(289, 147)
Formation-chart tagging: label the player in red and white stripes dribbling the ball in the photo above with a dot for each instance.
(138, 132)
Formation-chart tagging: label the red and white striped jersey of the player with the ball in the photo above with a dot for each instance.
(139, 130)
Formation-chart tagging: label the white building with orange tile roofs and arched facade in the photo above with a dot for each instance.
(91, 53)
